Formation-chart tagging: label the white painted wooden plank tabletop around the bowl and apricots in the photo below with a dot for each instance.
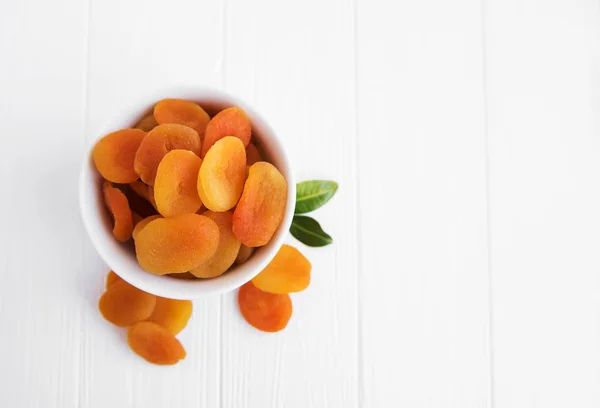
(465, 138)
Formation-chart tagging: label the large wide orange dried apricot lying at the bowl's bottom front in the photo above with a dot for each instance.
(176, 244)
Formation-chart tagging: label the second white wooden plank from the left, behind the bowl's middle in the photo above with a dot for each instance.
(138, 47)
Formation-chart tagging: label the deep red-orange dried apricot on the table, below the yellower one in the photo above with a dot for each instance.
(265, 311)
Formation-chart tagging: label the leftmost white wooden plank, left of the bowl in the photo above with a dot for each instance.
(41, 123)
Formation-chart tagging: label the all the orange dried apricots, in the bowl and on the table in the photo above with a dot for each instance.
(197, 197)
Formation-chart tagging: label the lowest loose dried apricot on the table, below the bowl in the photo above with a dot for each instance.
(155, 344)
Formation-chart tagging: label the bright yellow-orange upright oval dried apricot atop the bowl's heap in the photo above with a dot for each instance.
(222, 175)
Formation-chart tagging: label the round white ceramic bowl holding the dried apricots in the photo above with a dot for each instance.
(120, 257)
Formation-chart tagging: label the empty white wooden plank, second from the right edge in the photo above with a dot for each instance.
(424, 271)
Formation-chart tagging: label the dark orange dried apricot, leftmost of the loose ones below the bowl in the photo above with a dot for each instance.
(123, 304)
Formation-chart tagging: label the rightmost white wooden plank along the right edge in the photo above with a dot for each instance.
(544, 145)
